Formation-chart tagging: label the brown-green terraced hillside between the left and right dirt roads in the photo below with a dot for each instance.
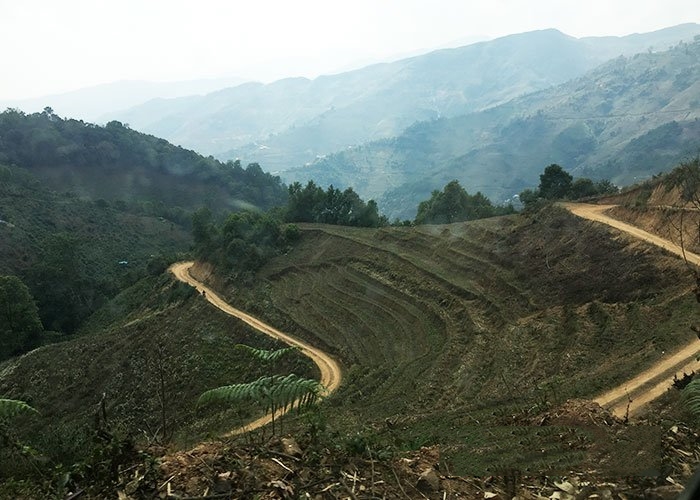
(451, 334)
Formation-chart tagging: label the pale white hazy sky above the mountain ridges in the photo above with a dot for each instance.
(51, 46)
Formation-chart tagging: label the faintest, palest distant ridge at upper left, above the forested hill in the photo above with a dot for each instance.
(92, 103)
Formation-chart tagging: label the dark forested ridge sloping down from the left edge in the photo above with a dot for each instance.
(116, 163)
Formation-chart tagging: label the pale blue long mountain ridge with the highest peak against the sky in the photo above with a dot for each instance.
(290, 122)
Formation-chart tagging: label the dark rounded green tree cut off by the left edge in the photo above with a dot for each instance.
(20, 326)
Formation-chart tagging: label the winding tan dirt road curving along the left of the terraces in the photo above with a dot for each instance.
(331, 374)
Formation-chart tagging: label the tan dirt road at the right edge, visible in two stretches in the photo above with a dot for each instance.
(655, 381)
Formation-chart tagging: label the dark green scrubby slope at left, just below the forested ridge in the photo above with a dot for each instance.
(75, 254)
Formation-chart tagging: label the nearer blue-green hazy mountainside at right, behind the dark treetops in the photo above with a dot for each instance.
(628, 119)
